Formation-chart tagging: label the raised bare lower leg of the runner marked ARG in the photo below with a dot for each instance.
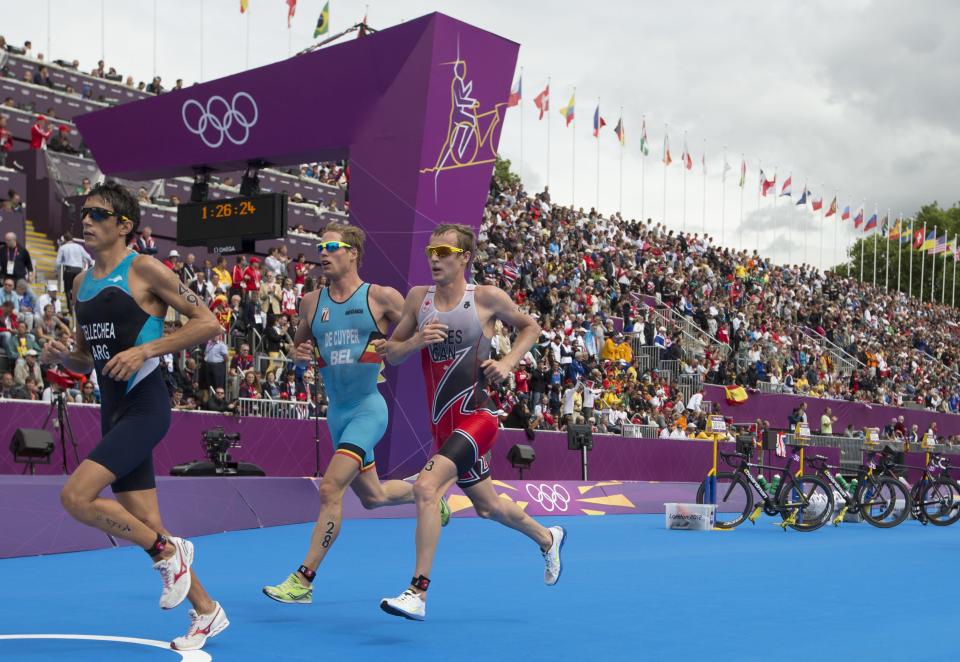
(81, 498)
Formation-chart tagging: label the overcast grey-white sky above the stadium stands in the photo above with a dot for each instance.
(857, 97)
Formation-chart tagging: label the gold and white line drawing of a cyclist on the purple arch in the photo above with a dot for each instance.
(469, 140)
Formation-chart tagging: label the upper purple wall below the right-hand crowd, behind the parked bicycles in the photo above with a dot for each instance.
(776, 408)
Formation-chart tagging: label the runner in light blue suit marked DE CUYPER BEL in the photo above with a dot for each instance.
(340, 328)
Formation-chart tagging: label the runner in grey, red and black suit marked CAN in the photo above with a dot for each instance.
(451, 324)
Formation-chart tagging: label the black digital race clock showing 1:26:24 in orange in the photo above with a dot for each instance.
(227, 224)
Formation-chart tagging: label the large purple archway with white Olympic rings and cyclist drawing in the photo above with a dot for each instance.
(417, 109)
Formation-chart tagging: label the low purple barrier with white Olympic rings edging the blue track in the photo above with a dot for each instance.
(35, 523)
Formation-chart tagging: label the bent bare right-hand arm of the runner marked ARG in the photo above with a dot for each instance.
(165, 287)
